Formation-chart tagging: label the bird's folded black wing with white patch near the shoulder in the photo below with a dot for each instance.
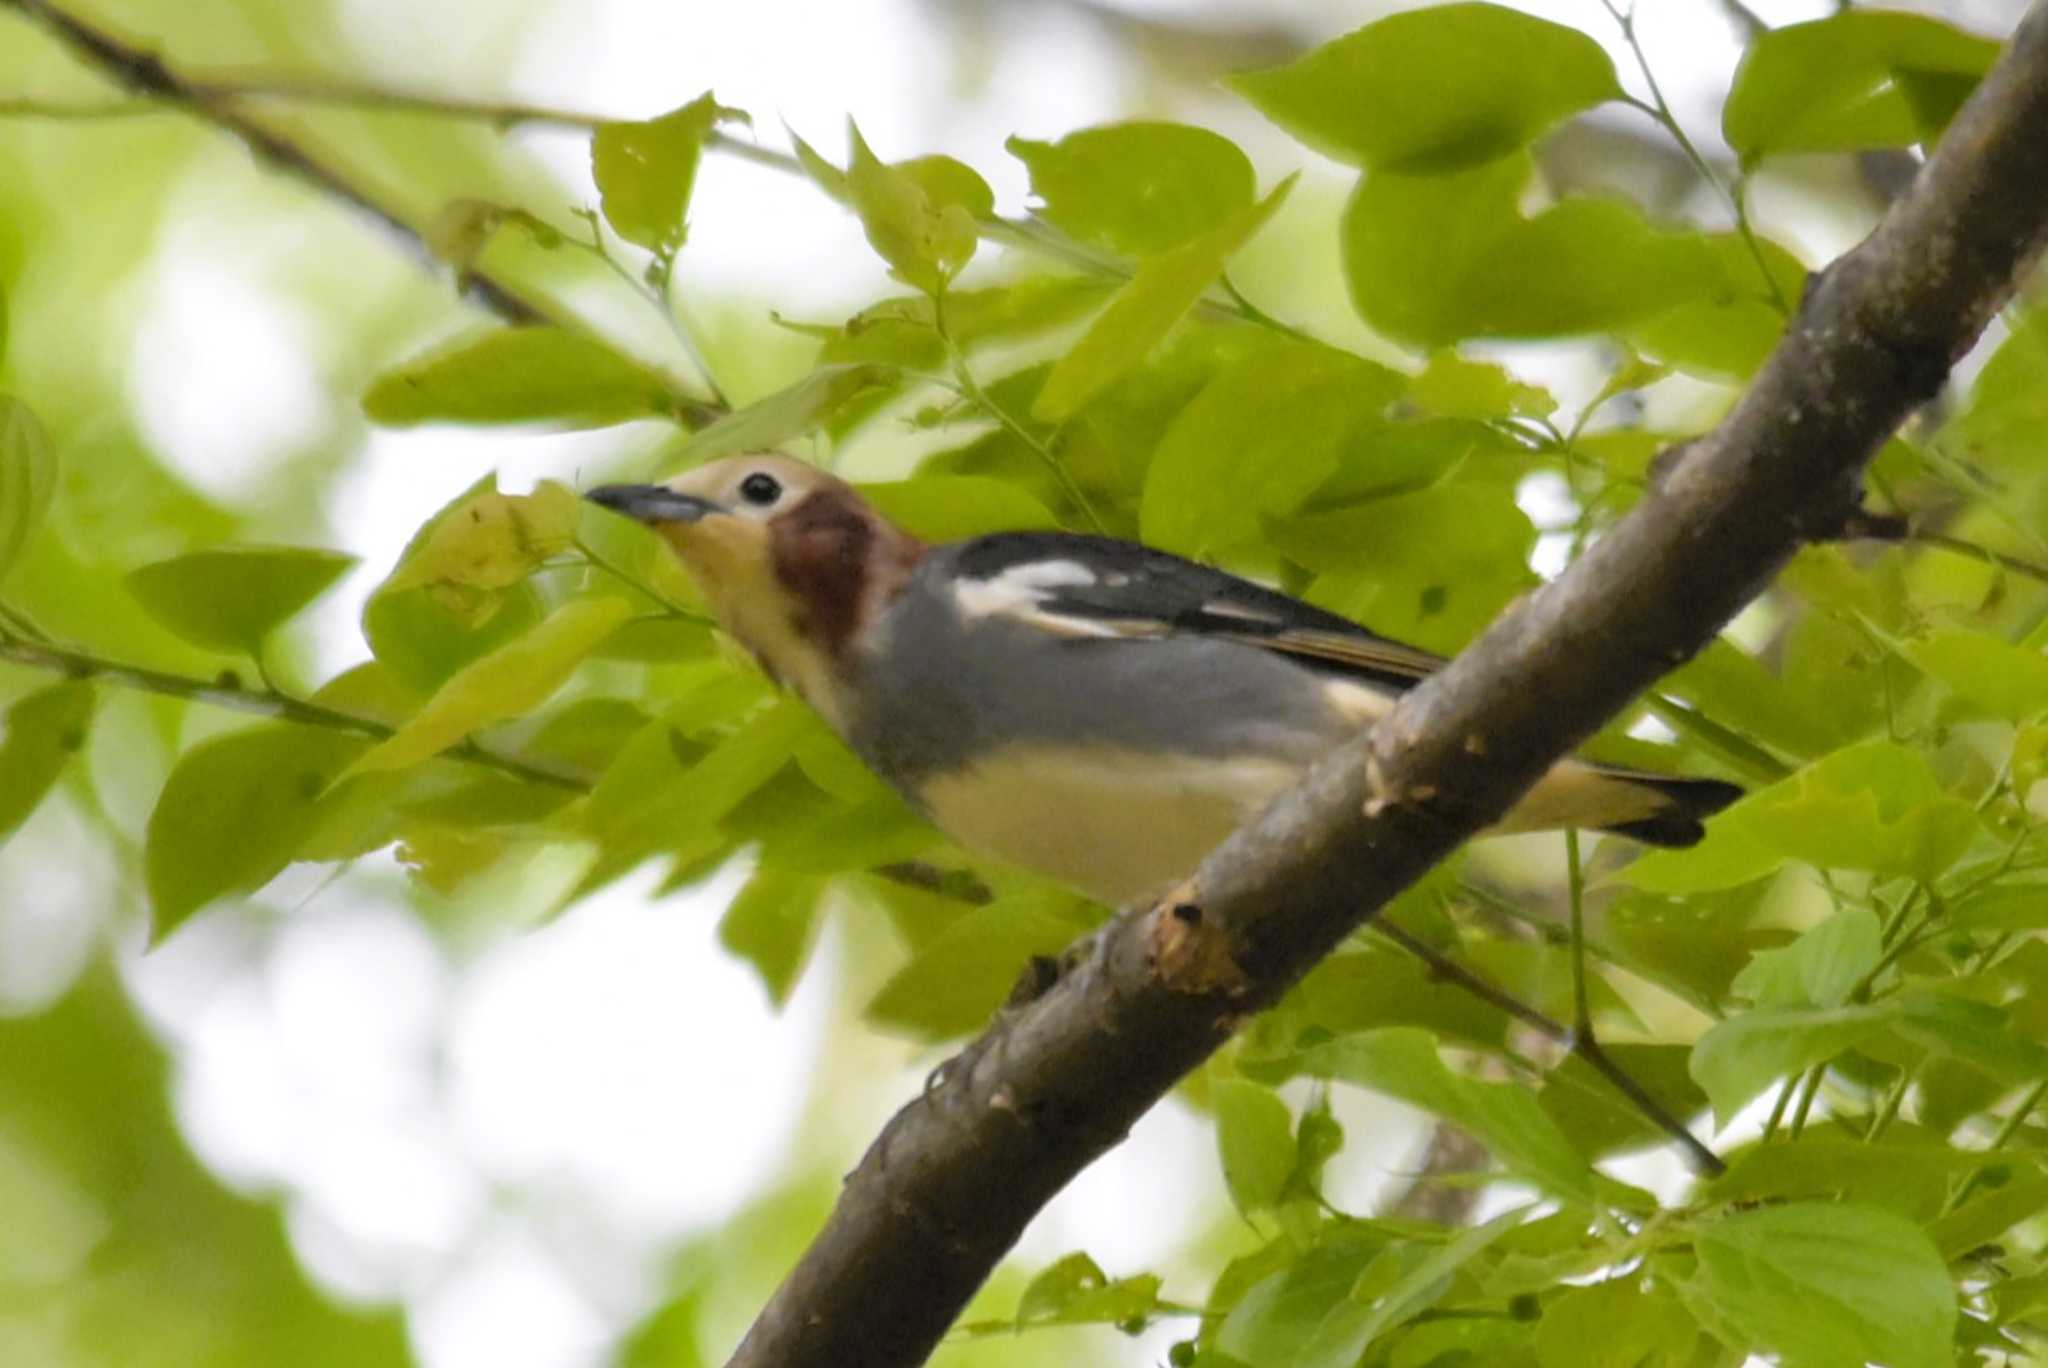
(1140, 591)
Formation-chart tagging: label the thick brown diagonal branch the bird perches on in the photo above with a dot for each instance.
(957, 1174)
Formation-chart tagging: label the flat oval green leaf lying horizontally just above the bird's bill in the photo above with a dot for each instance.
(515, 376)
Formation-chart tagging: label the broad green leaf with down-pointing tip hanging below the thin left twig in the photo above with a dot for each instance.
(234, 814)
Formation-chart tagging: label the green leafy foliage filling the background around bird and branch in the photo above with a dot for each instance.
(1854, 951)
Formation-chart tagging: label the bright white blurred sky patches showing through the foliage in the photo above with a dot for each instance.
(476, 1131)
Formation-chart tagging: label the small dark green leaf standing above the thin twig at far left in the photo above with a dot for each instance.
(230, 599)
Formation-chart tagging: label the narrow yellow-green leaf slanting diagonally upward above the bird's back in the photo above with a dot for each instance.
(1144, 312)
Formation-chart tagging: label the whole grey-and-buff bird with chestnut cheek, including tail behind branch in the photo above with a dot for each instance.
(1091, 710)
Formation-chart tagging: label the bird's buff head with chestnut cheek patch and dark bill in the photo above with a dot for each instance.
(792, 560)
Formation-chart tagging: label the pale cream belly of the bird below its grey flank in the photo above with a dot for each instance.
(1115, 828)
